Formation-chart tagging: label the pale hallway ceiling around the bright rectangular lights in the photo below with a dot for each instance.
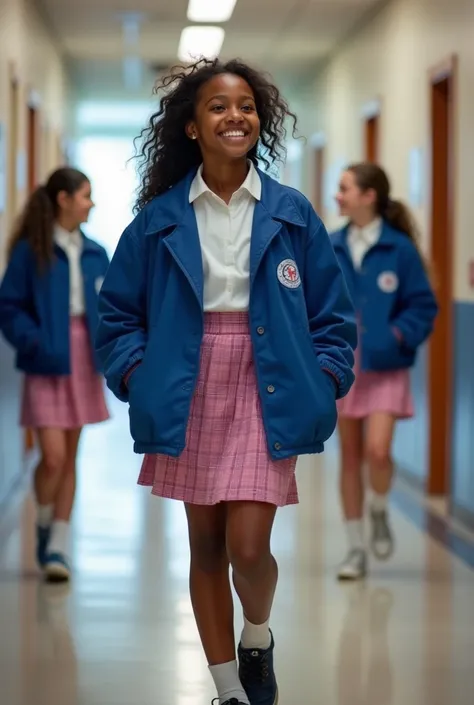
(286, 37)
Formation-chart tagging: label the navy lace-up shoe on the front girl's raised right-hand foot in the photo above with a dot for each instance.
(257, 675)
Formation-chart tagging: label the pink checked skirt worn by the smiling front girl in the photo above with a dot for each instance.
(226, 457)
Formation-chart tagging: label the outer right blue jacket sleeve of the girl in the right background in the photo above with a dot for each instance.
(418, 306)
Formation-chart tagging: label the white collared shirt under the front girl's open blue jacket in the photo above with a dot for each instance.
(225, 233)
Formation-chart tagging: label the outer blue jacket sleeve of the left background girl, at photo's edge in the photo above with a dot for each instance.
(17, 321)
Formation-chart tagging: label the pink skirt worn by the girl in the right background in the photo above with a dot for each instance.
(374, 392)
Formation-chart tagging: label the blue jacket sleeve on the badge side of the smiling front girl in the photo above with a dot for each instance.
(330, 311)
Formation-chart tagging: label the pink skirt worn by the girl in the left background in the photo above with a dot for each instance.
(67, 401)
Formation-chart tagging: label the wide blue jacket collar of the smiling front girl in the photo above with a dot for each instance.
(169, 209)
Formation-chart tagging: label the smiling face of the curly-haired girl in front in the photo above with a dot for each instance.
(226, 123)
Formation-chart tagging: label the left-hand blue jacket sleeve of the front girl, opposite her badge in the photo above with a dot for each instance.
(121, 335)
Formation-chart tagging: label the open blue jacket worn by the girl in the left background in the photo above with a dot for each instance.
(34, 306)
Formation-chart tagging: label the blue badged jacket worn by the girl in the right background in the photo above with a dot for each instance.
(393, 299)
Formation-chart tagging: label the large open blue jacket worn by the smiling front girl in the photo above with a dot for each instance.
(302, 322)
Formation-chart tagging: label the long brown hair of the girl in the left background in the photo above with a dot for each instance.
(36, 222)
